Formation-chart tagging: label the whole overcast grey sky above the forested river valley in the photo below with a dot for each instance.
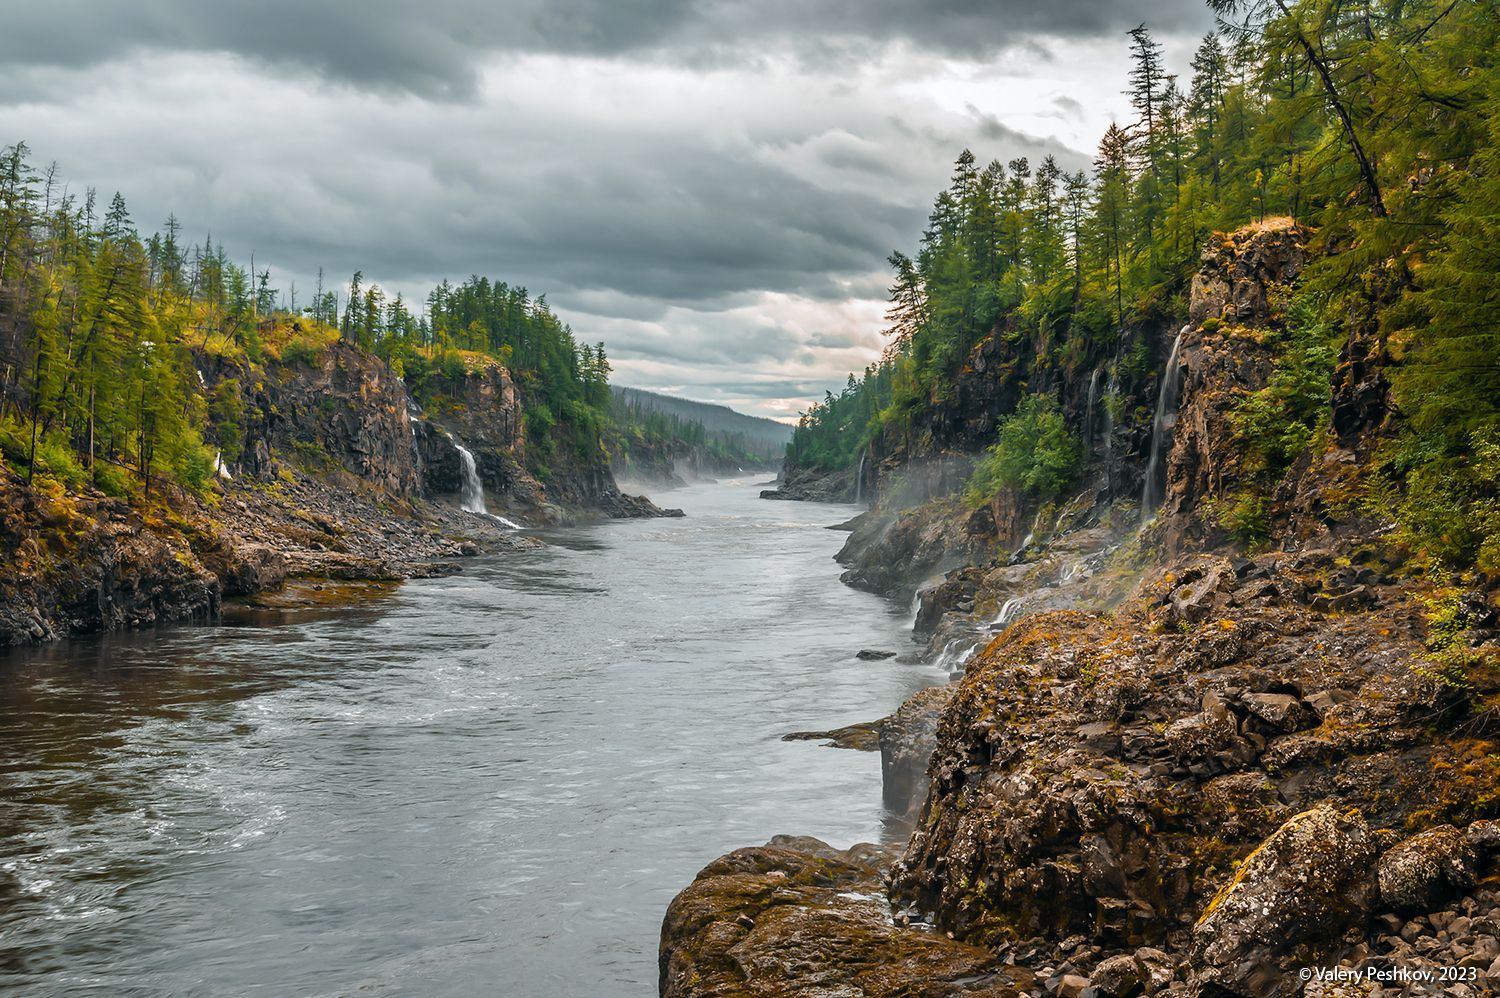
(710, 187)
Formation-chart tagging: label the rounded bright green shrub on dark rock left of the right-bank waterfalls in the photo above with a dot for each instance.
(1036, 455)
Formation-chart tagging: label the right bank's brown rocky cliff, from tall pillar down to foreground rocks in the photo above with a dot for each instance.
(1175, 762)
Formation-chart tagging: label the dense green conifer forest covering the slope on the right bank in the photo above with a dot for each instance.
(1375, 122)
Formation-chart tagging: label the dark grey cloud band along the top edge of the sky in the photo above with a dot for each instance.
(436, 49)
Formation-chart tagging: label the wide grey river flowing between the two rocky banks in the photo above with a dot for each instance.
(484, 784)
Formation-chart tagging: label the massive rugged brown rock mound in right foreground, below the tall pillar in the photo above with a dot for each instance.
(1219, 775)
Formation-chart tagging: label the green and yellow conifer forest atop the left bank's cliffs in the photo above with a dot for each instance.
(104, 334)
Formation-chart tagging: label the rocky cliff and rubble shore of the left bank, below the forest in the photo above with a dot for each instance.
(340, 475)
